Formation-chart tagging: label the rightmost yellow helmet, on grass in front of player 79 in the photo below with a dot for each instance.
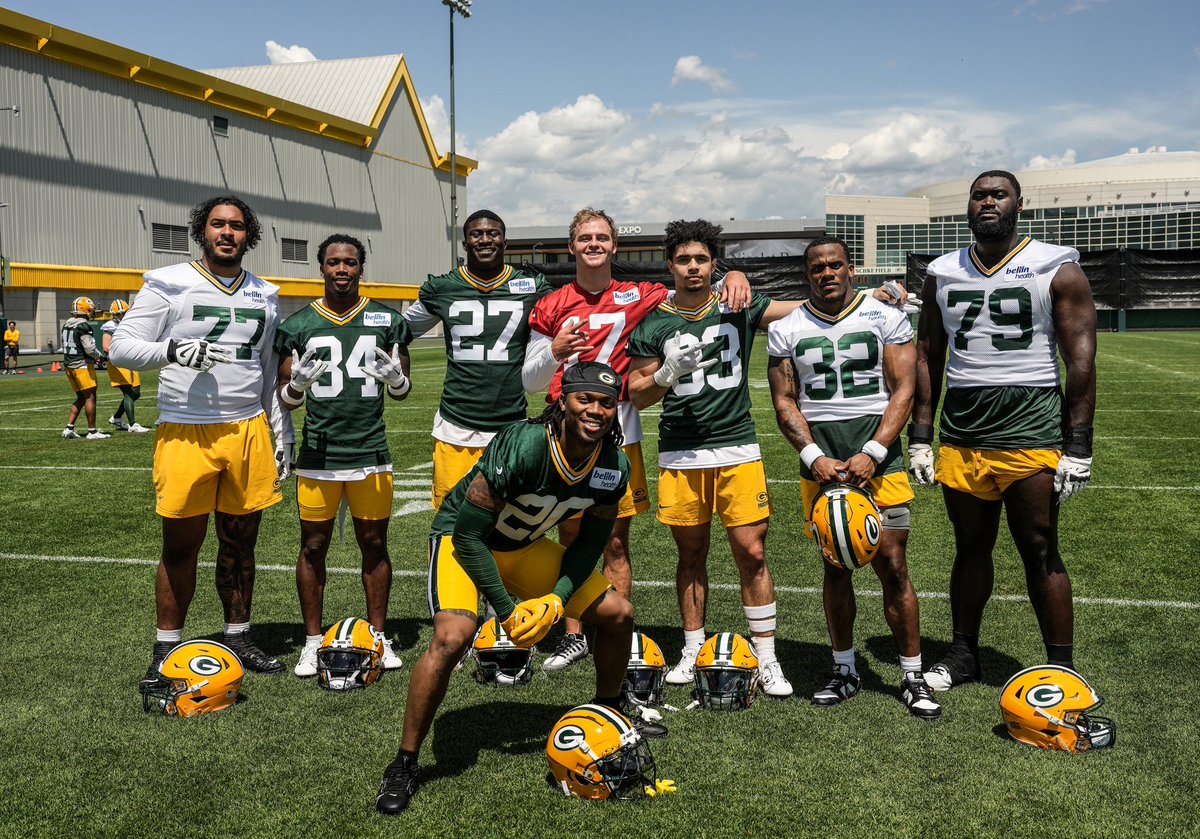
(1051, 708)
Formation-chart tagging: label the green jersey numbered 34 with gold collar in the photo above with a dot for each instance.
(344, 423)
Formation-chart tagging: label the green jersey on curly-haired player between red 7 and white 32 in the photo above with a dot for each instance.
(709, 409)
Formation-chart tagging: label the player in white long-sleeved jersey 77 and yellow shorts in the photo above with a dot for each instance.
(211, 326)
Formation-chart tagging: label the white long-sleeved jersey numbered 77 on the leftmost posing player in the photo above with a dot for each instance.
(187, 302)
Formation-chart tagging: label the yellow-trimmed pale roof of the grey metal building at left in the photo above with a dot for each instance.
(277, 93)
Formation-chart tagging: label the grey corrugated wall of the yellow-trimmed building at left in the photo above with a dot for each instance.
(94, 161)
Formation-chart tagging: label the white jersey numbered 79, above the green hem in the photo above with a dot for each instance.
(1000, 321)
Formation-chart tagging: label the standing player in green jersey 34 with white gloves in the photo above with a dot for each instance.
(338, 357)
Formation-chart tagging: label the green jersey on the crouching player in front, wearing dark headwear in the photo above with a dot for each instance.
(526, 466)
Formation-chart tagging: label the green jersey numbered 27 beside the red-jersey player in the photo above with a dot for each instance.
(487, 327)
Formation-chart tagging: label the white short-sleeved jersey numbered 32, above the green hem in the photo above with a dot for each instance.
(839, 358)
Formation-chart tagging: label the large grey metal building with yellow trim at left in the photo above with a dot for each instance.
(105, 151)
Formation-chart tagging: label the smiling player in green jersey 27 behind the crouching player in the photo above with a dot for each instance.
(484, 310)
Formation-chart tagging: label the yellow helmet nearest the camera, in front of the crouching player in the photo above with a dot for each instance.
(596, 753)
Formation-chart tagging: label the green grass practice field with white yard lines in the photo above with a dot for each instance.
(80, 542)
